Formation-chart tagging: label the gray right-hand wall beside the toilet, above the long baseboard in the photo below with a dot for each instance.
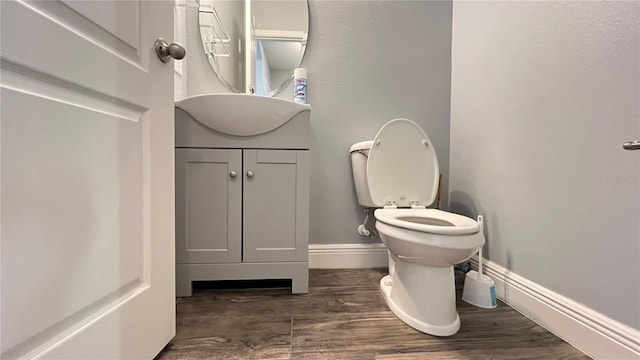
(543, 96)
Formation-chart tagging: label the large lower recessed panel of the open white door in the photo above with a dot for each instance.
(92, 172)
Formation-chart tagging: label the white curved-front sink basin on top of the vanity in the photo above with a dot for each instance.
(240, 114)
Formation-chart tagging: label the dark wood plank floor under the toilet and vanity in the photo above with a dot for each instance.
(344, 317)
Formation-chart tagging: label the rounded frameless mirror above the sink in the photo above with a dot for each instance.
(254, 46)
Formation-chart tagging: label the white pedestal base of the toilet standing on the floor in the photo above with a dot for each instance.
(424, 300)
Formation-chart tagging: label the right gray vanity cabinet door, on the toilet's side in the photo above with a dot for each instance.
(275, 205)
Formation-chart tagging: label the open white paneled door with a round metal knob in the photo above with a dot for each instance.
(87, 214)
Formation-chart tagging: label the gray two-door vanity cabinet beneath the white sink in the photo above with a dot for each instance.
(242, 204)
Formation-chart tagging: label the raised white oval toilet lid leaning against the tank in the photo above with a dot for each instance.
(402, 165)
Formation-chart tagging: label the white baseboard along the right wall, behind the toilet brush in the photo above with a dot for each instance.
(586, 329)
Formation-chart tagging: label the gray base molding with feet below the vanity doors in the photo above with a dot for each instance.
(298, 272)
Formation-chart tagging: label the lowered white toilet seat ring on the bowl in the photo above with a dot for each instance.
(432, 221)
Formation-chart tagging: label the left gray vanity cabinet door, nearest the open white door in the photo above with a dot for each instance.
(208, 206)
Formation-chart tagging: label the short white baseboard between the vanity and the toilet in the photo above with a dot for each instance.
(347, 256)
